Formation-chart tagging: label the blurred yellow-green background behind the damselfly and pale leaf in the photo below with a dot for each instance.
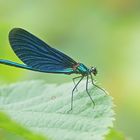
(105, 34)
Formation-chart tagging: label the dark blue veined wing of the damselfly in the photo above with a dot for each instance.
(37, 54)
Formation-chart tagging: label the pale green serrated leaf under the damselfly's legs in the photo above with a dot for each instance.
(44, 108)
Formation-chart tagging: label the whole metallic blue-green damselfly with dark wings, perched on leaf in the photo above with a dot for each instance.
(39, 56)
